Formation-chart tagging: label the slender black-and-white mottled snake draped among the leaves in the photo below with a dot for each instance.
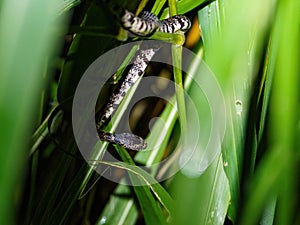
(143, 25)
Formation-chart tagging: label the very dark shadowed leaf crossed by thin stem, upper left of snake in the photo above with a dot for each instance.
(86, 48)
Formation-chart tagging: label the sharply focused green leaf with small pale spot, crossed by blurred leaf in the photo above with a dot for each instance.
(210, 20)
